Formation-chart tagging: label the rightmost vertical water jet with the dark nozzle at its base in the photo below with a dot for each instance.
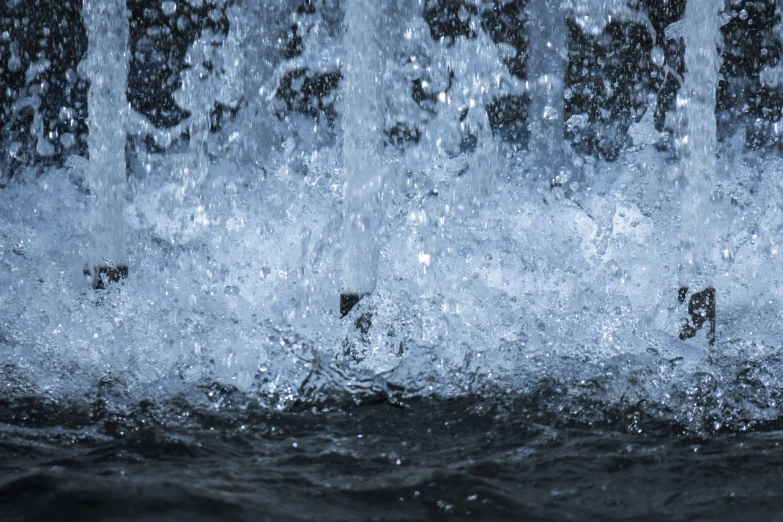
(696, 145)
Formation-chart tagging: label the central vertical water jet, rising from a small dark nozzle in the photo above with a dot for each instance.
(362, 124)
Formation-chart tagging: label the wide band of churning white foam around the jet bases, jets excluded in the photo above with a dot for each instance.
(470, 298)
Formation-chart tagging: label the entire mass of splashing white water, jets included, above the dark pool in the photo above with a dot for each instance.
(477, 283)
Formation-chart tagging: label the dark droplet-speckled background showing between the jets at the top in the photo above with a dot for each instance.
(32, 30)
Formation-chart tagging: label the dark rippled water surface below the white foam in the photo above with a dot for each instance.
(423, 460)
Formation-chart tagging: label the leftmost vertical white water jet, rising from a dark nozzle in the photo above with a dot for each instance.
(106, 22)
